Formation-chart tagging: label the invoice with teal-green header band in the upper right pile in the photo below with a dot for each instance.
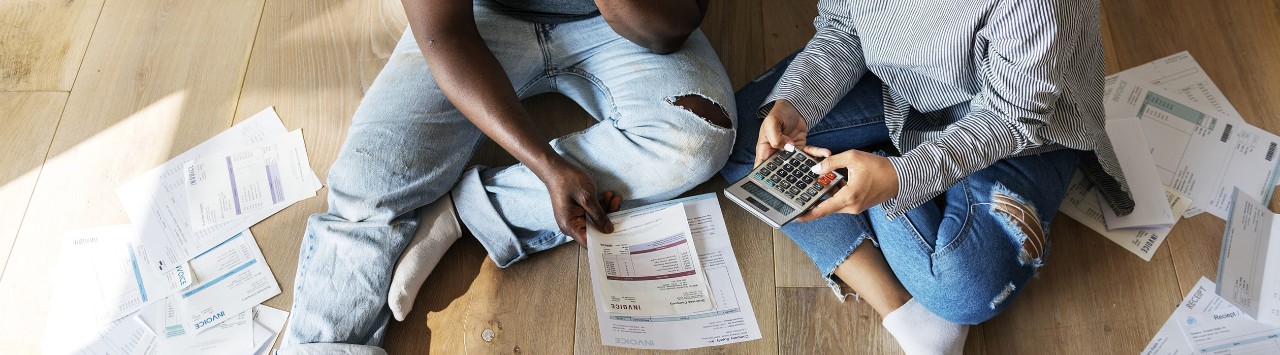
(1197, 152)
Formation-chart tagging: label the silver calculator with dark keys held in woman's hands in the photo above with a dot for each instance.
(781, 188)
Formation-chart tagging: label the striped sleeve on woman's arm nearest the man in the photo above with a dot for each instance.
(826, 70)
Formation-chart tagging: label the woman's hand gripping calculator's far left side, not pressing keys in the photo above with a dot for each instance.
(781, 128)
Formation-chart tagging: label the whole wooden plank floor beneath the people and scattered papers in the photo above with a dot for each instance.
(94, 93)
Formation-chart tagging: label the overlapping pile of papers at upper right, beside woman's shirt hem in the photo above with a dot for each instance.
(1183, 149)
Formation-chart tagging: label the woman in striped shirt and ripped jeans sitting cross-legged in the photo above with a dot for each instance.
(980, 111)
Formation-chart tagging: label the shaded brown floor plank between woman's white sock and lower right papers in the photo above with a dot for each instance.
(1091, 298)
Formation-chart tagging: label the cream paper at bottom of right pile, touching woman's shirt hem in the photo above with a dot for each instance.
(1082, 203)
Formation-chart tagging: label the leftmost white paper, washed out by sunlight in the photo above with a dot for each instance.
(100, 276)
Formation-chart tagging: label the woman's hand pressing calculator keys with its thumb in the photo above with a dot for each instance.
(870, 181)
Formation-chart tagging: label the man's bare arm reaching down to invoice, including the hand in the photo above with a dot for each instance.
(477, 85)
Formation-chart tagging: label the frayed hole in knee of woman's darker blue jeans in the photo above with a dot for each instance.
(1025, 226)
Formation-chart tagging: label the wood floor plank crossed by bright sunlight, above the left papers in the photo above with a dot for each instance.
(148, 92)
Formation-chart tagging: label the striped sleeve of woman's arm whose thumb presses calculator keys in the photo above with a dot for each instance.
(1023, 81)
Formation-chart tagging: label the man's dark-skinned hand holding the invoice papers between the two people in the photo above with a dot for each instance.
(575, 204)
